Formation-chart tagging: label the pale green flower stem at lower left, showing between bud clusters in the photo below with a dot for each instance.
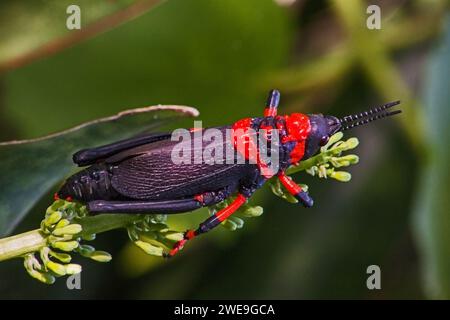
(32, 241)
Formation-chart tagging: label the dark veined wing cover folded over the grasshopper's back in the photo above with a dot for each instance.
(148, 172)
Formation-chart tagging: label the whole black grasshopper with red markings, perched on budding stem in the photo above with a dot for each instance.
(137, 175)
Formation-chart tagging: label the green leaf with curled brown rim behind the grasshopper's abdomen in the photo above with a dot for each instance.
(30, 168)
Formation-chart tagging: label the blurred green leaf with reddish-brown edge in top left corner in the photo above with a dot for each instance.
(18, 30)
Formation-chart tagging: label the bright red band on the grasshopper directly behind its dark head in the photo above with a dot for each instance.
(297, 127)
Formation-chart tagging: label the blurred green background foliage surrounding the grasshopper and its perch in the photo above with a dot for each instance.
(222, 57)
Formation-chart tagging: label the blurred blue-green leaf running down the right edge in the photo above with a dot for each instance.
(432, 210)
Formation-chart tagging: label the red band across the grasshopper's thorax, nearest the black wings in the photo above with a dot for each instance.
(246, 143)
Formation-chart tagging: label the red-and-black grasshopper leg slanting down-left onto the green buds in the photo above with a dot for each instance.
(209, 223)
